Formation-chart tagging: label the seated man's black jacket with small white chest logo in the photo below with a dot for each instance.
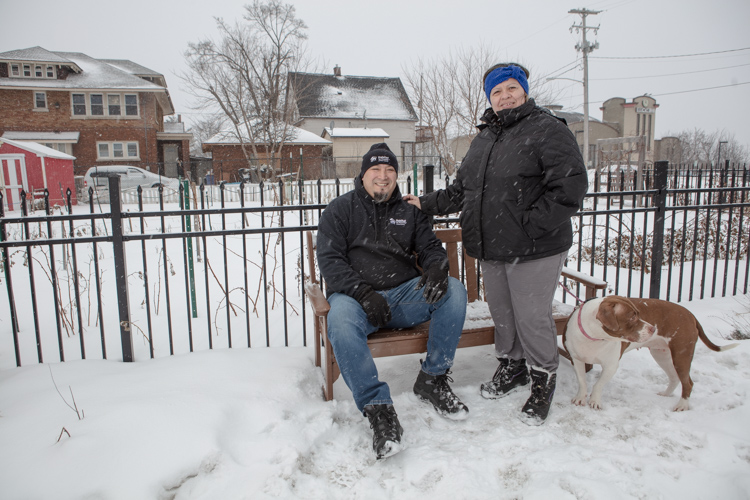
(362, 244)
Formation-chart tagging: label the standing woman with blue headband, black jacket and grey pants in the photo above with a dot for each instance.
(520, 183)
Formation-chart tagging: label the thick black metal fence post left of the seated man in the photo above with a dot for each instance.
(121, 270)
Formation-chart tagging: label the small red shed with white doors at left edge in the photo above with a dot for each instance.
(33, 167)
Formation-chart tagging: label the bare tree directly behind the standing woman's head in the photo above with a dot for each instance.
(450, 95)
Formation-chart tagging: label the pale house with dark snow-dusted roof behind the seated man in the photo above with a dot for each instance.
(336, 101)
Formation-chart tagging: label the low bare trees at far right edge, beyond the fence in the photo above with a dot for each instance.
(699, 146)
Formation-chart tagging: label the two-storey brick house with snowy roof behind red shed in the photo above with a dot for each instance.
(102, 111)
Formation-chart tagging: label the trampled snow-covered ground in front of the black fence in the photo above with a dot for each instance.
(251, 423)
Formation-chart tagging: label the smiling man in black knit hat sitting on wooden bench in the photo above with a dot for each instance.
(367, 241)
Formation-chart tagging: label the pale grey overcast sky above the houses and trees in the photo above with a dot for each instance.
(710, 91)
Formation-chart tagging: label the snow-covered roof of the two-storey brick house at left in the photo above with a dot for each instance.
(88, 73)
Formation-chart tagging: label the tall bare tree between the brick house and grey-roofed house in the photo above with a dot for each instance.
(243, 75)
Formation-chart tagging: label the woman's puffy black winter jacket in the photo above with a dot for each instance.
(520, 183)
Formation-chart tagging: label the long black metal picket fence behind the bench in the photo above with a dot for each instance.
(171, 279)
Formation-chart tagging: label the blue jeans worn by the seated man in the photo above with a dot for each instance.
(348, 329)
